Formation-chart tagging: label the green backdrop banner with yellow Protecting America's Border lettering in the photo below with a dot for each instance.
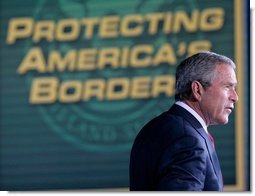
(79, 79)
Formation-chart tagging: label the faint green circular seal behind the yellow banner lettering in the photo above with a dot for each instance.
(102, 125)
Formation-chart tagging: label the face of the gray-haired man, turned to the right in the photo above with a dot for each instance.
(218, 100)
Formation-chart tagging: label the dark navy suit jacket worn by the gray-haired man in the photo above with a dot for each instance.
(174, 153)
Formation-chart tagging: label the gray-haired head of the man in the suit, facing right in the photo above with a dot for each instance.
(206, 81)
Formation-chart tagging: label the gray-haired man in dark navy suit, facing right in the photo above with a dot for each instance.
(175, 151)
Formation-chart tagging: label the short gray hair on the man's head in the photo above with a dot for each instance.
(198, 67)
